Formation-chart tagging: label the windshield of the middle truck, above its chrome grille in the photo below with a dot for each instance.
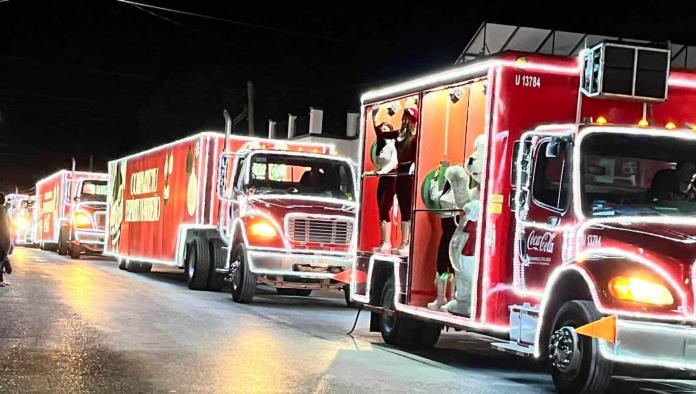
(308, 176)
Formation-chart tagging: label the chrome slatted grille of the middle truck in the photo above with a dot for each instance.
(320, 230)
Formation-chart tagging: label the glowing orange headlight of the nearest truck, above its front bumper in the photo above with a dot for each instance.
(644, 291)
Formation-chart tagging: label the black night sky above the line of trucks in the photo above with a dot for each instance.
(106, 78)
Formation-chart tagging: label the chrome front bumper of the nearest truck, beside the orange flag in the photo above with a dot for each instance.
(652, 344)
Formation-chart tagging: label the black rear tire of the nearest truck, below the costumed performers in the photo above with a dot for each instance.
(403, 331)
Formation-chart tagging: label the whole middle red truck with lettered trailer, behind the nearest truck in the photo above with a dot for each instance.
(243, 209)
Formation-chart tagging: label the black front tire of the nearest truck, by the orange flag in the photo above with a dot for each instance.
(594, 373)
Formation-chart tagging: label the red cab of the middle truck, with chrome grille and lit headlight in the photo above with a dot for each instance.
(290, 224)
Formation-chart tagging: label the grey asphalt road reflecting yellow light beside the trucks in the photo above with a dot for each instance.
(85, 326)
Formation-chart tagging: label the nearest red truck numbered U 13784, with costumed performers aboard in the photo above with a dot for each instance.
(547, 201)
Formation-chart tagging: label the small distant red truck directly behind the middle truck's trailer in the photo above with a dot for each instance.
(71, 212)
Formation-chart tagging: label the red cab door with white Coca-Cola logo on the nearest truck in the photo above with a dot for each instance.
(544, 213)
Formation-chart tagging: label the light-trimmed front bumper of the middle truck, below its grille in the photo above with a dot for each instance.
(304, 265)
